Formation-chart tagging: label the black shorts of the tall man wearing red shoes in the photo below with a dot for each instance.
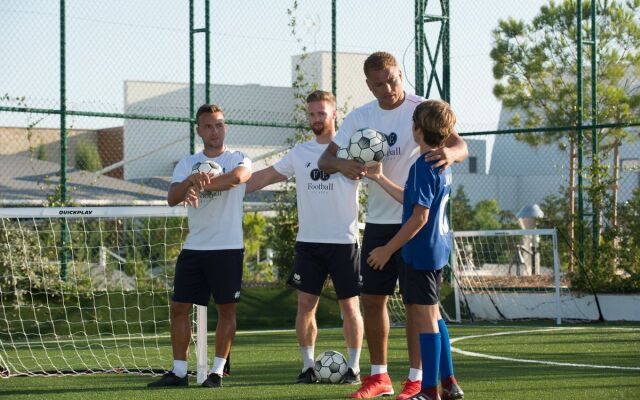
(380, 282)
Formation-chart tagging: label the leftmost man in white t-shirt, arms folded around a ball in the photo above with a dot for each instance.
(210, 262)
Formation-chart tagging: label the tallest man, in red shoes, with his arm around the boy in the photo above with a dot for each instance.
(391, 113)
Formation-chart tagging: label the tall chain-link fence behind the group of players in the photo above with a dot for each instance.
(127, 76)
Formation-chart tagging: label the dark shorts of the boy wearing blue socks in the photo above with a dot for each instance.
(420, 286)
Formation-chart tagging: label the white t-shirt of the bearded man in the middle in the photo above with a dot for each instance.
(327, 204)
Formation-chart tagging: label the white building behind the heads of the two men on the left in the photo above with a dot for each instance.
(151, 148)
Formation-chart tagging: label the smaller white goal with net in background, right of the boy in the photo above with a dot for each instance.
(507, 275)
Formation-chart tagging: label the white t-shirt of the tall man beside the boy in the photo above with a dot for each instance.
(397, 125)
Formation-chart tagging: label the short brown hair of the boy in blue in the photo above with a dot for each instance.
(436, 120)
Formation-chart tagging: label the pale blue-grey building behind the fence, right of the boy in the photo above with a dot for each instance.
(517, 174)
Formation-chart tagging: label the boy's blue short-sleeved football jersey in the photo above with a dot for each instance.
(430, 247)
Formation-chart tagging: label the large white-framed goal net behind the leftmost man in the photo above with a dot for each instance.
(86, 290)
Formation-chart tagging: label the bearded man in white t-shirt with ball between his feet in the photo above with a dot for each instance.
(327, 230)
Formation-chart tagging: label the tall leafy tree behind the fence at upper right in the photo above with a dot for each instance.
(535, 66)
